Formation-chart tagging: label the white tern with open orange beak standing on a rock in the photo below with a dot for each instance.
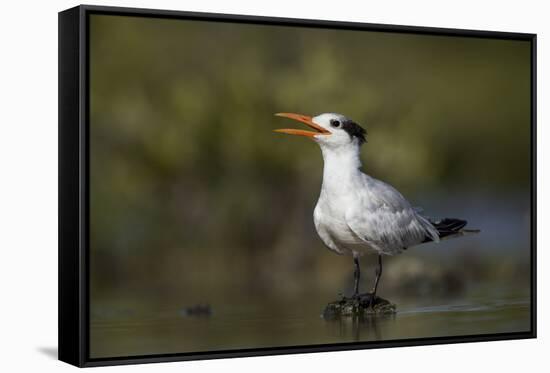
(357, 214)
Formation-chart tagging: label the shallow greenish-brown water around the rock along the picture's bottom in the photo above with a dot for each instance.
(126, 331)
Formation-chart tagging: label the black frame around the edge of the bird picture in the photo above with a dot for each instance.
(74, 184)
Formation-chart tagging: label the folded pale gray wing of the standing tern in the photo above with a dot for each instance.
(385, 219)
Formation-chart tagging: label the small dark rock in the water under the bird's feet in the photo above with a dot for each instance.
(364, 305)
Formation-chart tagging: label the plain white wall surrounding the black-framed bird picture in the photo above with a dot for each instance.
(28, 183)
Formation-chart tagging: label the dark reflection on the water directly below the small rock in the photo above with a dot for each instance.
(359, 328)
